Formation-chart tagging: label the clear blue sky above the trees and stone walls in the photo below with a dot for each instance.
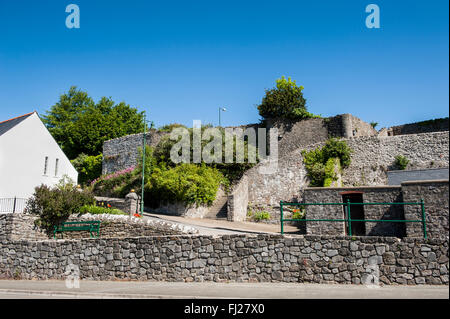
(181, 60)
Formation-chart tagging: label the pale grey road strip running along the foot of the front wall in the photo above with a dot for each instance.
(52, 289)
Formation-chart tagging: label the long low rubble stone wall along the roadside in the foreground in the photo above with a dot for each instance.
(237, 258)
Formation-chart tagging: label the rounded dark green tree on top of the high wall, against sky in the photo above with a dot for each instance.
(284, 101)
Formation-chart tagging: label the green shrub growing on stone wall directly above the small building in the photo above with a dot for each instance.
(317, 163)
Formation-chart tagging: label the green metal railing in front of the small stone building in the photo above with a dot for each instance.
(349, 220)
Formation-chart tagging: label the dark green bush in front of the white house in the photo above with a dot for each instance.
(53, 206)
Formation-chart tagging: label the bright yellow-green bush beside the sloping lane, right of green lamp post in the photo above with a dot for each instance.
(187, 183)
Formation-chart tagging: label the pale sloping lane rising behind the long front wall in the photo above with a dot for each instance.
(208, 226)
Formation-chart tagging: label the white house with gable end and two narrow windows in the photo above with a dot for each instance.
(29, 157)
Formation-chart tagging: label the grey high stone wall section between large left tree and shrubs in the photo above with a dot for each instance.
(123, 152)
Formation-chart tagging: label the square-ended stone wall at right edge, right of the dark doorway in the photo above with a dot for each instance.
(435, 195)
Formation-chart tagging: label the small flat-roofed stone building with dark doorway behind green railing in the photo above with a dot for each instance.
(434, 193)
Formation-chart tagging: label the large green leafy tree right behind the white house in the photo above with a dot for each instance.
(79, 125)
